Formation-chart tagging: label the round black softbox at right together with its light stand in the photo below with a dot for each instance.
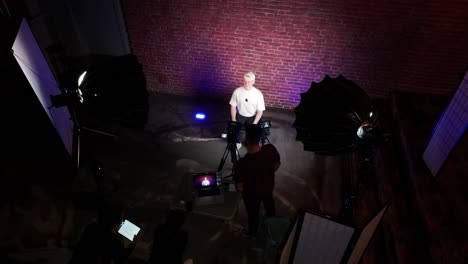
(336, 116)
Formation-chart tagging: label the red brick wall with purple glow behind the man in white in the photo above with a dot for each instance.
(194, 47)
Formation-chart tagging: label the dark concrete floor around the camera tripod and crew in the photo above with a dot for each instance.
(147, 168)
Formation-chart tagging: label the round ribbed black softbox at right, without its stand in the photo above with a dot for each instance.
(333, 116)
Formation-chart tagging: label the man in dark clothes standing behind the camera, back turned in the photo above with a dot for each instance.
(254, 175)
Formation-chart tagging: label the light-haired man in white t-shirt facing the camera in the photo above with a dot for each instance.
(247, 104)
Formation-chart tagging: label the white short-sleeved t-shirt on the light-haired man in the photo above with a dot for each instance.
(248, 102)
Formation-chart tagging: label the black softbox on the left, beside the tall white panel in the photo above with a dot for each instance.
(114, 91)
